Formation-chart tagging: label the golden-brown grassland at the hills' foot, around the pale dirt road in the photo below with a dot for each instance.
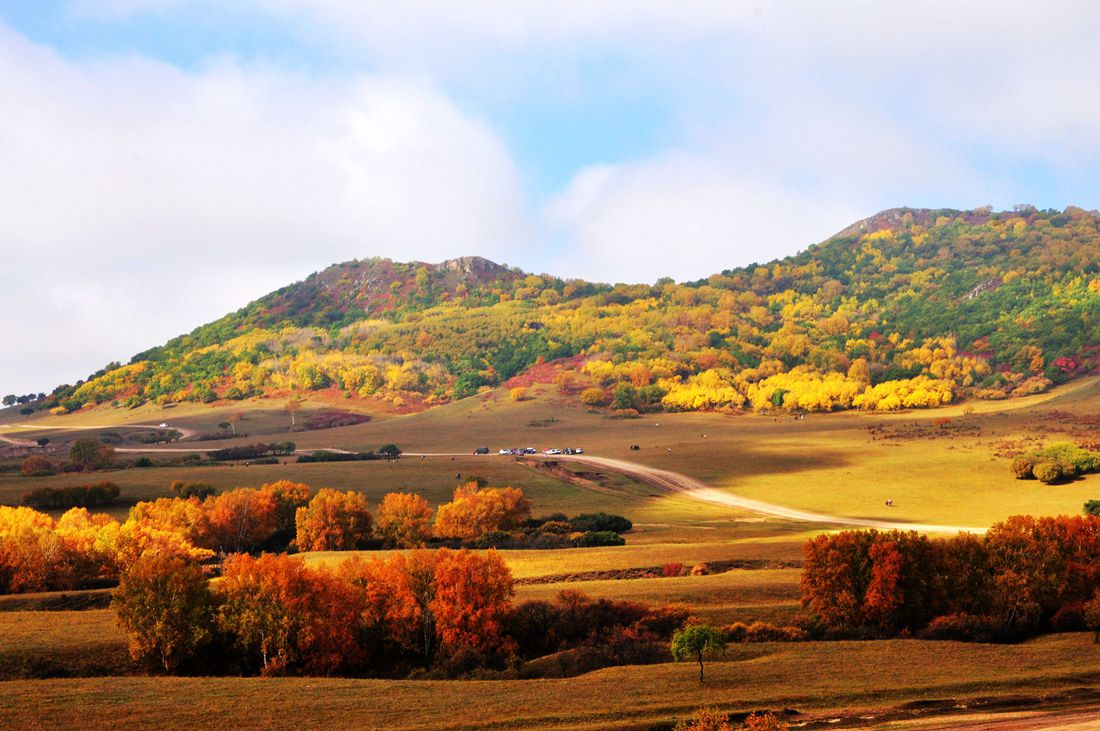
(843, 464)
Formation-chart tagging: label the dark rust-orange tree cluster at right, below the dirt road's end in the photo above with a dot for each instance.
(1011, 583)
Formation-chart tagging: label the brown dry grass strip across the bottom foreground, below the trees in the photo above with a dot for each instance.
(812, 678)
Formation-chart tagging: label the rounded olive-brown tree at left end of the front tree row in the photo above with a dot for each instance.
(164, 604)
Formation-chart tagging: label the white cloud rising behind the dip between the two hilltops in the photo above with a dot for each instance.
(683, 217)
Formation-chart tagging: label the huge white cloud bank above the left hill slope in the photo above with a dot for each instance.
(138, 202)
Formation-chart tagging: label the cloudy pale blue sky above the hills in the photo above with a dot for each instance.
(166, 162)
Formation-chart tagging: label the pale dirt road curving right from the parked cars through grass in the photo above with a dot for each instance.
(695, 490)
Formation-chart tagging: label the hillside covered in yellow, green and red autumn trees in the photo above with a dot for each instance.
(908, 308)
